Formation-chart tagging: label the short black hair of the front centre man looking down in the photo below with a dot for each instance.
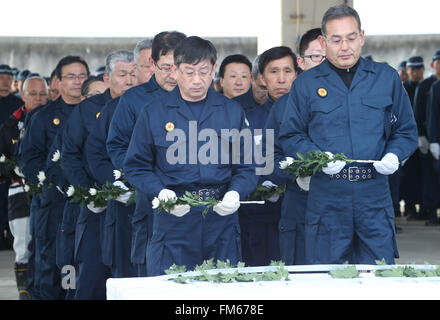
(194, 49)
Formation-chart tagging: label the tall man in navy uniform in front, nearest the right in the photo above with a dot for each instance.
(359, 108)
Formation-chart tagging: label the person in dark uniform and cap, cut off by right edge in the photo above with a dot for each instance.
(431, 186)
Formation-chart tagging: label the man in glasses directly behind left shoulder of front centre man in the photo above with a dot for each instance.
(121, 128)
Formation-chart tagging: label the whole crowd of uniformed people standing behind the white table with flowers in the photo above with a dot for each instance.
(76, 130)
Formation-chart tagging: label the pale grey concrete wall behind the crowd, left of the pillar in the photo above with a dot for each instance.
(42, 54)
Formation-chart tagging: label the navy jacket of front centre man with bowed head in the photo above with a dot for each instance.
(146, 165)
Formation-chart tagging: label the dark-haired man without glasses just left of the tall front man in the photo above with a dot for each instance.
(259, 223)
